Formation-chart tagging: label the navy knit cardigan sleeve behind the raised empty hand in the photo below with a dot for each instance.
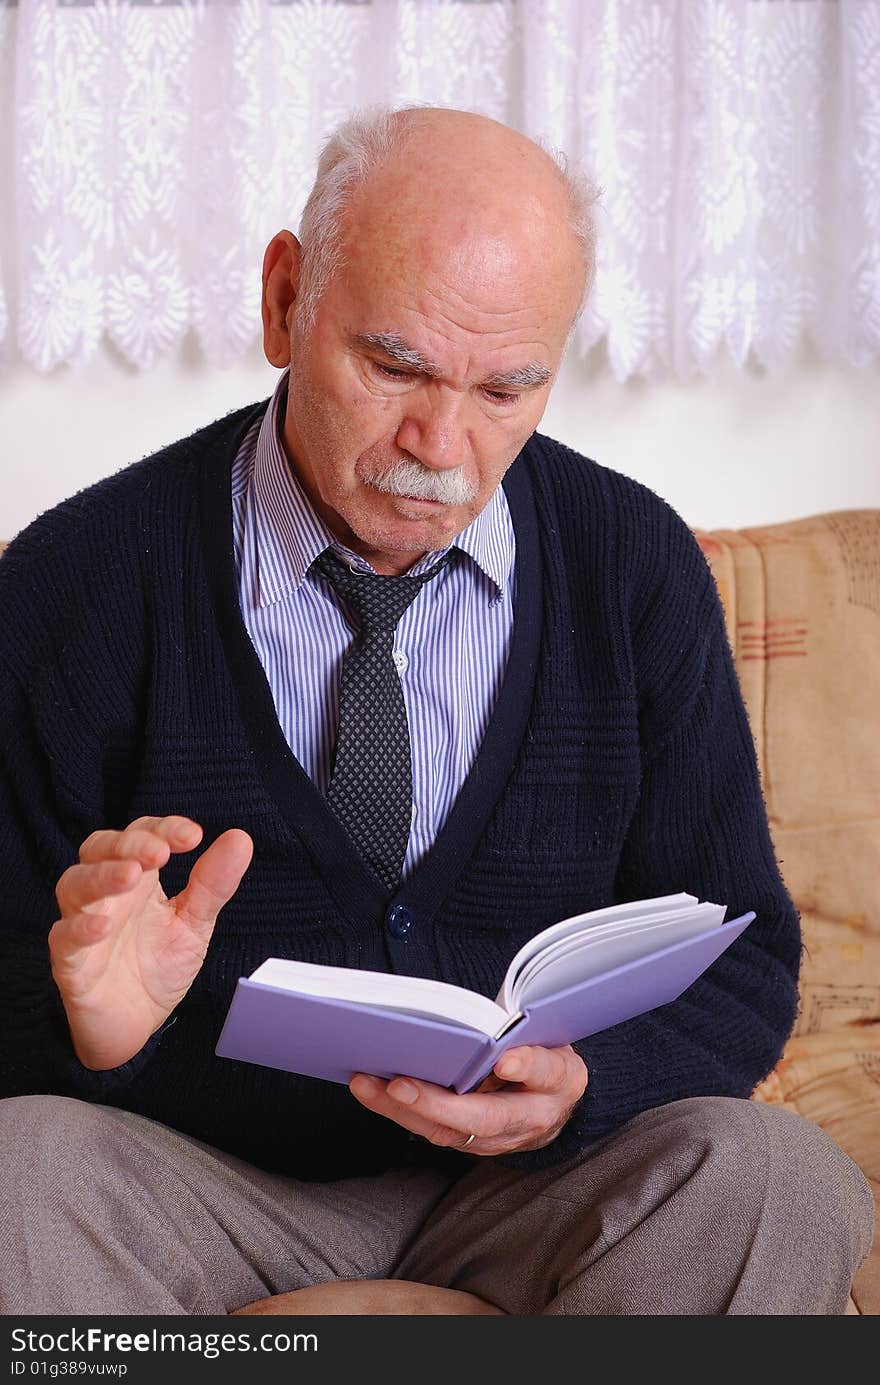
(53, 757)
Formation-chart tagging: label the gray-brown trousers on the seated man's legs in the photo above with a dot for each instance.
(705, 1207)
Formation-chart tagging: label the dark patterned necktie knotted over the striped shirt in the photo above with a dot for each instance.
(372, 780)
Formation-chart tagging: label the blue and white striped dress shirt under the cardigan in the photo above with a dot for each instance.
(451, 647)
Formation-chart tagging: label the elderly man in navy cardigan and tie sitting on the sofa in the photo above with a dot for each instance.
(189, 657)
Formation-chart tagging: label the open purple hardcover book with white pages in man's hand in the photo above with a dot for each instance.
(567, 983)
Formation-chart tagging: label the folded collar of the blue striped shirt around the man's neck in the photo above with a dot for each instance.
(290, 534)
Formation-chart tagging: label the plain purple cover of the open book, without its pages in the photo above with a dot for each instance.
(333, 1039)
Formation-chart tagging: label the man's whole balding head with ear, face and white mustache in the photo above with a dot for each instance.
(423, 314)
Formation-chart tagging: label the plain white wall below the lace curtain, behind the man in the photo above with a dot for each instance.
(741, 449)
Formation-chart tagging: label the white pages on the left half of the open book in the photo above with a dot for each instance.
(393, 991)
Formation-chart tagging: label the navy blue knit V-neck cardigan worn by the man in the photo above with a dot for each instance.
(619, 765)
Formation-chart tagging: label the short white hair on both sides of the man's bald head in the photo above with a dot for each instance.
(353, 153)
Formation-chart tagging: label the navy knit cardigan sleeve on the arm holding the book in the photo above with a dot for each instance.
(702, 828)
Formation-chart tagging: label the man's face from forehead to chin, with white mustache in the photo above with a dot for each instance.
(428, 370)
